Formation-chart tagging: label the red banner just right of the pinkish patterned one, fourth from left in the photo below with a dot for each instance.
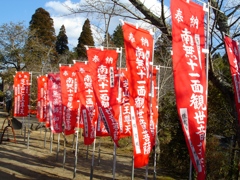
(70, 101)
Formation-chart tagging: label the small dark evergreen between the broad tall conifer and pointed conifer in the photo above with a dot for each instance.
(62, 41)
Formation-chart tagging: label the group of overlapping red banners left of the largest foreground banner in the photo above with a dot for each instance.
(101, 99)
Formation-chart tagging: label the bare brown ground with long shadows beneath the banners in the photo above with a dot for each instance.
(19, 161)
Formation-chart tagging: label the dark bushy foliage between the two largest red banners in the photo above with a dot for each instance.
(174, 152)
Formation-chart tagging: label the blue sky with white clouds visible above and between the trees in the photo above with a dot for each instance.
(22, 10)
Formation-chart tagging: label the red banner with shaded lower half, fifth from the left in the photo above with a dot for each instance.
(88, 102)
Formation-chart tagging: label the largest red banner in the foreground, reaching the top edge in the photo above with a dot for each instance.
(190, 77)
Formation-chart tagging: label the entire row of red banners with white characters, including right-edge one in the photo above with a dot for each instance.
(105, 101)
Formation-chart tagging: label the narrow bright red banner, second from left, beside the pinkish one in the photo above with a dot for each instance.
(42, 98)
